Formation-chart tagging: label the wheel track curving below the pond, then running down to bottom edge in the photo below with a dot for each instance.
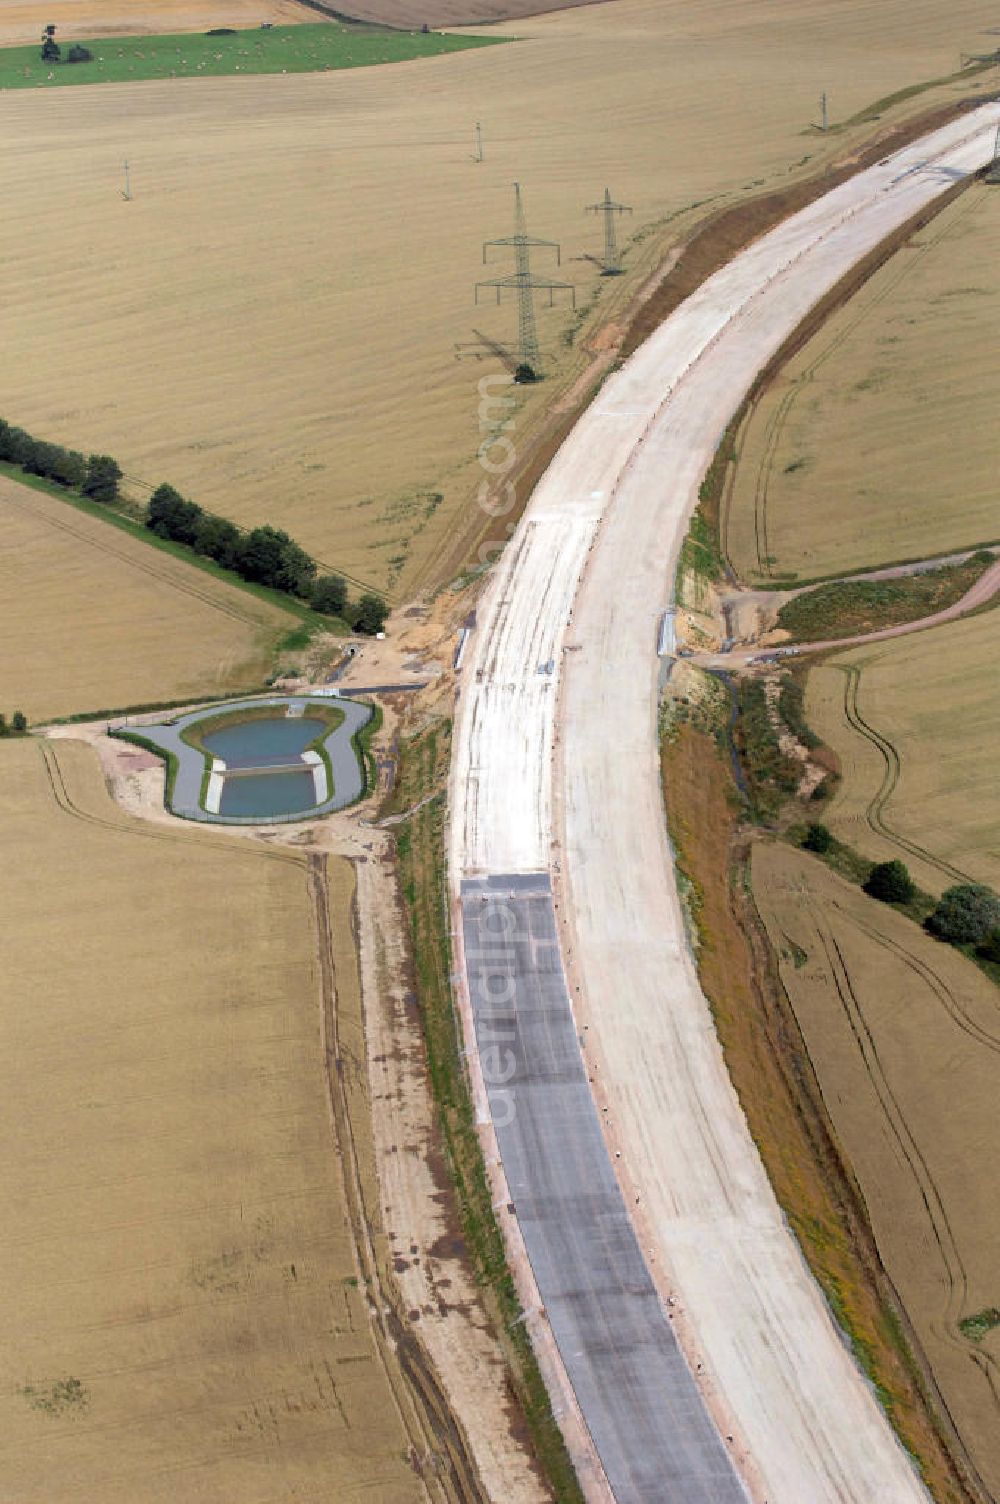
(438, 1449)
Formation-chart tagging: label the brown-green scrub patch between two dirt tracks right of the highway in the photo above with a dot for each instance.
(850, 608)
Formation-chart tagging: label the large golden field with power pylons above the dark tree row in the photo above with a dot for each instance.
(274, 323)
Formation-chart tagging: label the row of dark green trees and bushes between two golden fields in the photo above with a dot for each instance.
(259, 556)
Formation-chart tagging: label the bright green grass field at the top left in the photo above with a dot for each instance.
(279, 50)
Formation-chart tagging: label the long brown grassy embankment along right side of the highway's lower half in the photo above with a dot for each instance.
(781, 1097)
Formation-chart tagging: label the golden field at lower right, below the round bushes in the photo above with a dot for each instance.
(903, 1032)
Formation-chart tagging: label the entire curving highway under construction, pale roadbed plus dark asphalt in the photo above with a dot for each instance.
(689, 1354)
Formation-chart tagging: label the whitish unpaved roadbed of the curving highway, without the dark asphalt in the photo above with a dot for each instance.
(556, 771)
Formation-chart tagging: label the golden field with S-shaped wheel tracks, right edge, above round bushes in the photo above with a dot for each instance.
(917, 727)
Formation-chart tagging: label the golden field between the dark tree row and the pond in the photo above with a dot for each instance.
(92, 619)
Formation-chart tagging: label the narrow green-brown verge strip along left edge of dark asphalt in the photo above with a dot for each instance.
(422, 863)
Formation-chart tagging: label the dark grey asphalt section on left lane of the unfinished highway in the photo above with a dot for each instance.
(652, 1431)
